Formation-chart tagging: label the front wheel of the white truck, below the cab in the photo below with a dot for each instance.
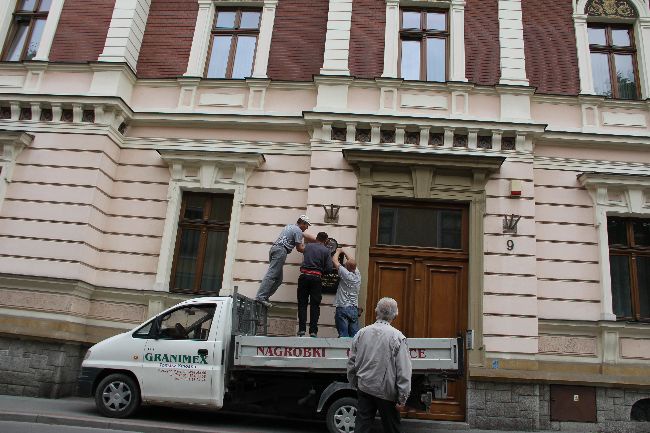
(117, 396)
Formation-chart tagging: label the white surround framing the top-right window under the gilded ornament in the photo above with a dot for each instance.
(641, 33)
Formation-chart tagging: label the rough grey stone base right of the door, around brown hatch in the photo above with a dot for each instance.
(516, 406)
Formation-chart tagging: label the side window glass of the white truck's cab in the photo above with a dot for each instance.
(187, 323)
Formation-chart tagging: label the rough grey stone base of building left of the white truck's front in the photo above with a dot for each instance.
(34, 368)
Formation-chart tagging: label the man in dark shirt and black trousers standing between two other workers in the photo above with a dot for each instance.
(316, 261)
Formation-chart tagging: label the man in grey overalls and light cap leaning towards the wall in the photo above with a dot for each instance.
(291, 236)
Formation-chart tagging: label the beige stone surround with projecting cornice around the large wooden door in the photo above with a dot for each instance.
(425, 175)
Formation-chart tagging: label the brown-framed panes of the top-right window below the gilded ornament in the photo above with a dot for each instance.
(613, 60)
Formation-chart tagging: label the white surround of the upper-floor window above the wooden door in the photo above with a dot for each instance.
(456, 56)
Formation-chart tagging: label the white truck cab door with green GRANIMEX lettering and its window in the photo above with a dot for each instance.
(181, 359)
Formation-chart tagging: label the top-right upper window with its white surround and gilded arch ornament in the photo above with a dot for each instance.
(610, 44)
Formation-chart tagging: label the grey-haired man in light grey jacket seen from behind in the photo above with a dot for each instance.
(379, 367)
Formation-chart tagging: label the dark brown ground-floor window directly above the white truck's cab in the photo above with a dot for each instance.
(201, 243)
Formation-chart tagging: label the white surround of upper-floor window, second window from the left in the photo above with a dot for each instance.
(204, 22)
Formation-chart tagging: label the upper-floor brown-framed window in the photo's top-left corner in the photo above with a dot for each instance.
(26, 30)
